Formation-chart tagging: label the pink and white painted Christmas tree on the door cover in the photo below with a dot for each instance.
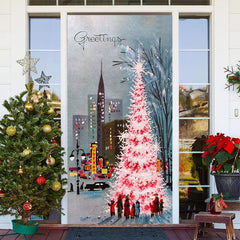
(136, 173)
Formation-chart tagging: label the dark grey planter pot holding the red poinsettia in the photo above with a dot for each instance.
(228, 184)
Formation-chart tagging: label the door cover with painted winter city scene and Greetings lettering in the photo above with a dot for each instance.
(119, 119)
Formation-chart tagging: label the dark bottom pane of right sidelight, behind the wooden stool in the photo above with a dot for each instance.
(192, 200)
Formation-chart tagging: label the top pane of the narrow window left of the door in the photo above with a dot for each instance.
(44, 33)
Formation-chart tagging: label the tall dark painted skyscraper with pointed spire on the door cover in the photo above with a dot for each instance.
(100, 112)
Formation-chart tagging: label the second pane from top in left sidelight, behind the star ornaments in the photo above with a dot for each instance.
(49, 63)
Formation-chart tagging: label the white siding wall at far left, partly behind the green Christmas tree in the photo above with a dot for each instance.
(12, 47)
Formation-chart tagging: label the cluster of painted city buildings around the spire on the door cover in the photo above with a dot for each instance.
(103, 123)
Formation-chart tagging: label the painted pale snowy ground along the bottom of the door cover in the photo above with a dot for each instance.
(90, 207)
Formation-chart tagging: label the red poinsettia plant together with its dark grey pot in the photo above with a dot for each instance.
(221, 154)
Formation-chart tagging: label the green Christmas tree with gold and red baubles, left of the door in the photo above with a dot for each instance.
(31, 163)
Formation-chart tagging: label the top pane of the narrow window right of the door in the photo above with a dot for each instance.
(193, 33)
